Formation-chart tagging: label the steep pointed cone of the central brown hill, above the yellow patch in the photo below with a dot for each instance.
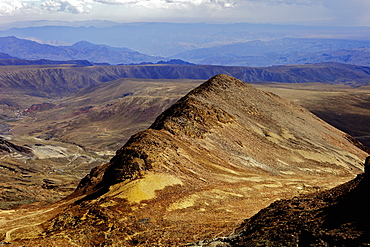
(259, 132)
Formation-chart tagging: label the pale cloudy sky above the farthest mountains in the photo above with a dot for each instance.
(301, 12)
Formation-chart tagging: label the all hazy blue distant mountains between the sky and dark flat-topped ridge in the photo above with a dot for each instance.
(215, 44)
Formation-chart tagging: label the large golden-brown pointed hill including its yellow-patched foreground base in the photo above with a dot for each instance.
(217, 156)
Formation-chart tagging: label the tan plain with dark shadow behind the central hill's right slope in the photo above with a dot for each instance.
(342, 106)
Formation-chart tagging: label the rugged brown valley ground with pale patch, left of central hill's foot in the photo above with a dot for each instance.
(41, 171)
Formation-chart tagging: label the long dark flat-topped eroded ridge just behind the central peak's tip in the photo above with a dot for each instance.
(66, 79)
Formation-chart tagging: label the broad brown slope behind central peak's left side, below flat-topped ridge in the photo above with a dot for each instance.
(100, 118)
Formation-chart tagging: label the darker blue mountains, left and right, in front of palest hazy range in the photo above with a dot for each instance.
(253, 53)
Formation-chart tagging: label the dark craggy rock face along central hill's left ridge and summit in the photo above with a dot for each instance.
(196, 114)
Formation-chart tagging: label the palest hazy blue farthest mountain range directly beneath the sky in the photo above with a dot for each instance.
(168, 39)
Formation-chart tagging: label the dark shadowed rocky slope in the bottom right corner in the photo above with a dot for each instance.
(336, 217)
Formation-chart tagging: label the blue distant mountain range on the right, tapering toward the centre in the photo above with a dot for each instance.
(282, 51)
